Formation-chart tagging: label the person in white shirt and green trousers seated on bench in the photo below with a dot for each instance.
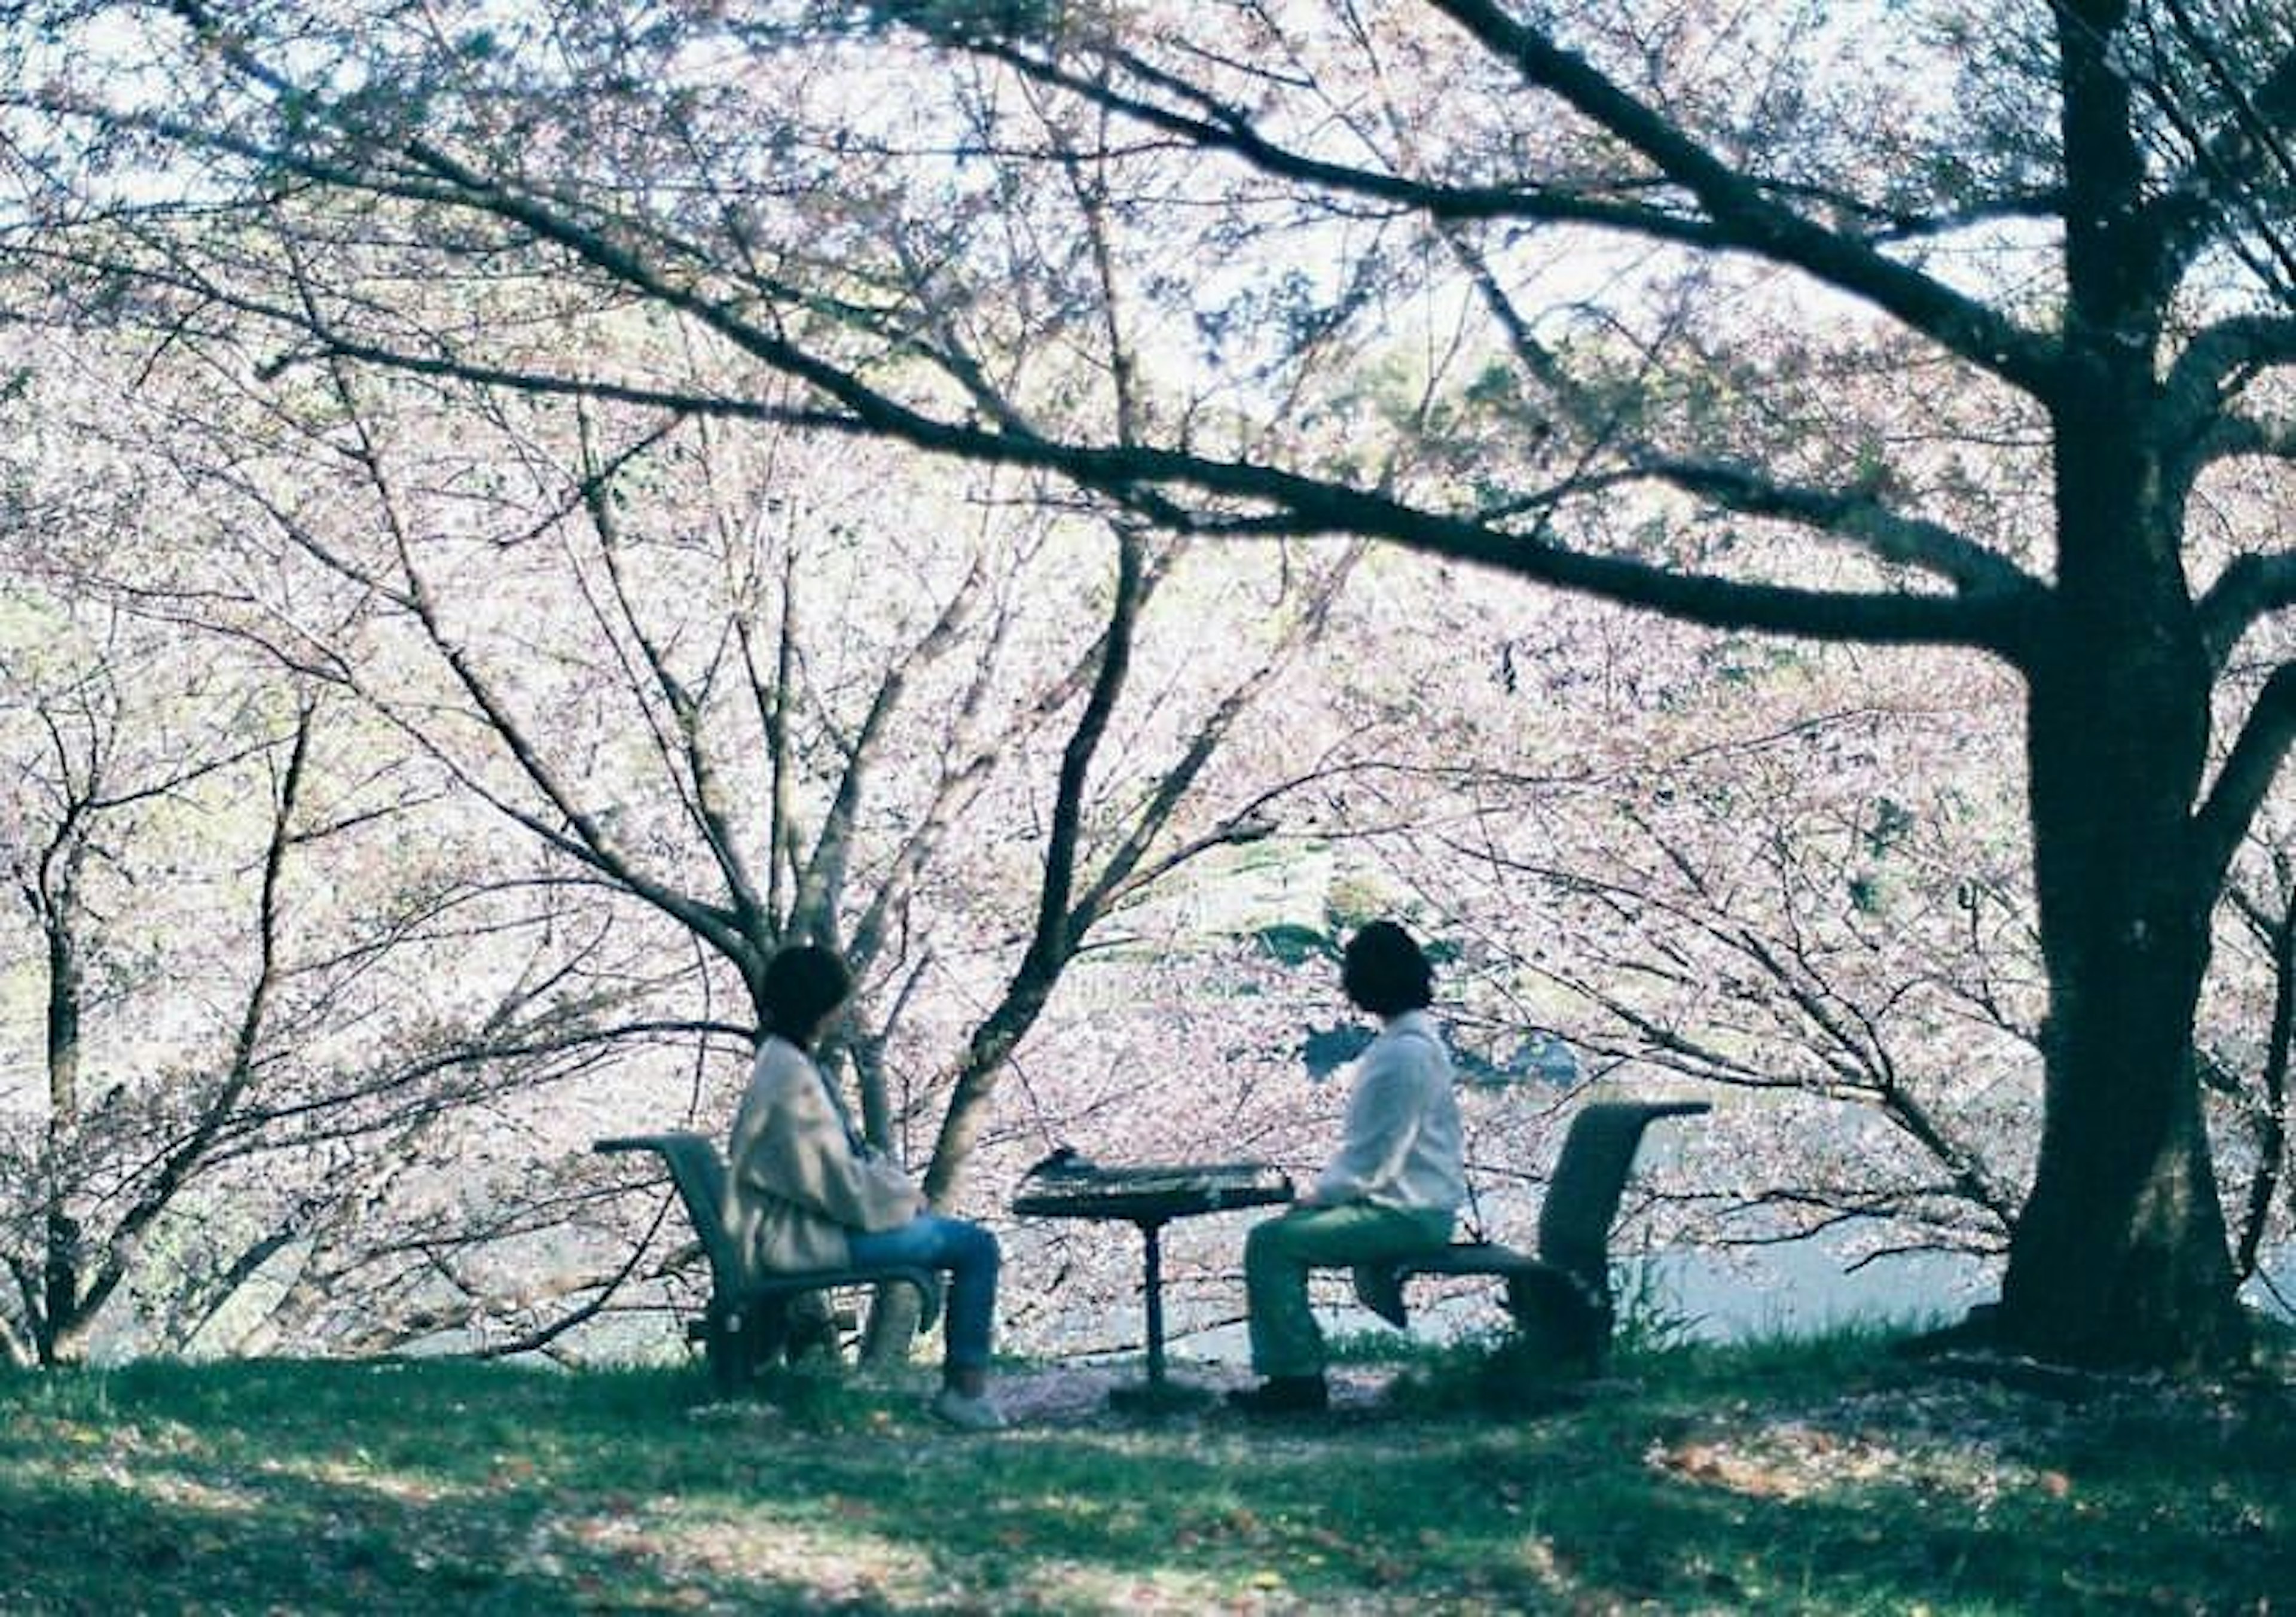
(1390, 1193)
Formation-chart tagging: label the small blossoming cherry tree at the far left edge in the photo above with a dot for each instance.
(228, 1083)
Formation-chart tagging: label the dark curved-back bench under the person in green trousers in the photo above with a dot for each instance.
(1558, 1299)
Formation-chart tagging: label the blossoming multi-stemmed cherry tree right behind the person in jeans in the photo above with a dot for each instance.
(738, 690)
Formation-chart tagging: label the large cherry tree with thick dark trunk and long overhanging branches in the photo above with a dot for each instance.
(1918, 327)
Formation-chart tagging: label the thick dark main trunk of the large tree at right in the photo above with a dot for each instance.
(2120, 1255)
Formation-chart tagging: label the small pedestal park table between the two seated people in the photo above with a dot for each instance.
(1149, 1198)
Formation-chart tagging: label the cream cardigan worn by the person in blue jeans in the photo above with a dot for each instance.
(796, 1182)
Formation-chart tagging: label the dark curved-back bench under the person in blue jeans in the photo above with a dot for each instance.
(747, 1320)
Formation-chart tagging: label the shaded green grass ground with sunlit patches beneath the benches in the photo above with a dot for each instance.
(1822, 1478)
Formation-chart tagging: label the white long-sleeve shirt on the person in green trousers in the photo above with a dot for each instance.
(1404, 1143)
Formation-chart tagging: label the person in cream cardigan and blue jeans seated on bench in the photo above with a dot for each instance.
(807, 1191)
